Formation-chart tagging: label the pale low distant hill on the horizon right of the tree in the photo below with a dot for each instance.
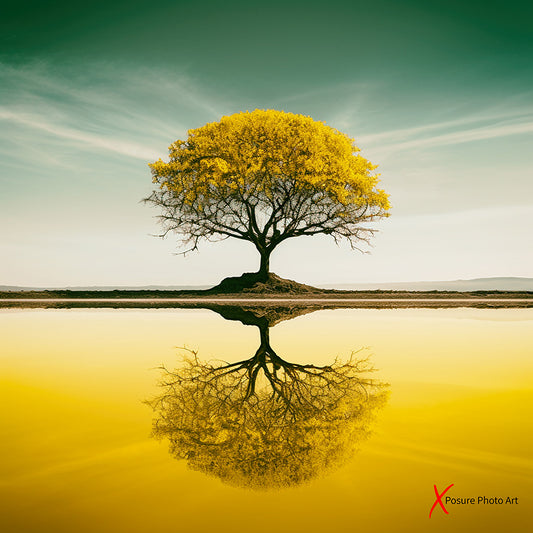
(478, 284)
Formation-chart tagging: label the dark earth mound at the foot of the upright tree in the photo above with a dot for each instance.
(249, 282)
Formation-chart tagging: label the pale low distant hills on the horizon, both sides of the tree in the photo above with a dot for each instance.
(478, 284)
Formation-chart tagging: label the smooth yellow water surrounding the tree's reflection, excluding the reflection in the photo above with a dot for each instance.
(76, 452)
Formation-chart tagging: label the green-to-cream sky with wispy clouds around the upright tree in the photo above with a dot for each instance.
(438, 94)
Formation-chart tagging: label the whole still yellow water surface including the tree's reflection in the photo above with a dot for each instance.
(298, 436)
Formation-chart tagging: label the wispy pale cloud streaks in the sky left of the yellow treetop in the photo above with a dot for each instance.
(127, 113)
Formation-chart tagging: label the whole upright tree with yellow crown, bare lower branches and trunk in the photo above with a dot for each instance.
(265, 177)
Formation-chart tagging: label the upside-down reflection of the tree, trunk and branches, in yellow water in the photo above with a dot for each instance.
(264, 422)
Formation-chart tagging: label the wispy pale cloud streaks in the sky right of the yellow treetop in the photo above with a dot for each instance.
(366, 113)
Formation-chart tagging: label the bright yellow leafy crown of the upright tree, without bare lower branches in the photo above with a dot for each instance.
(257, 154)
